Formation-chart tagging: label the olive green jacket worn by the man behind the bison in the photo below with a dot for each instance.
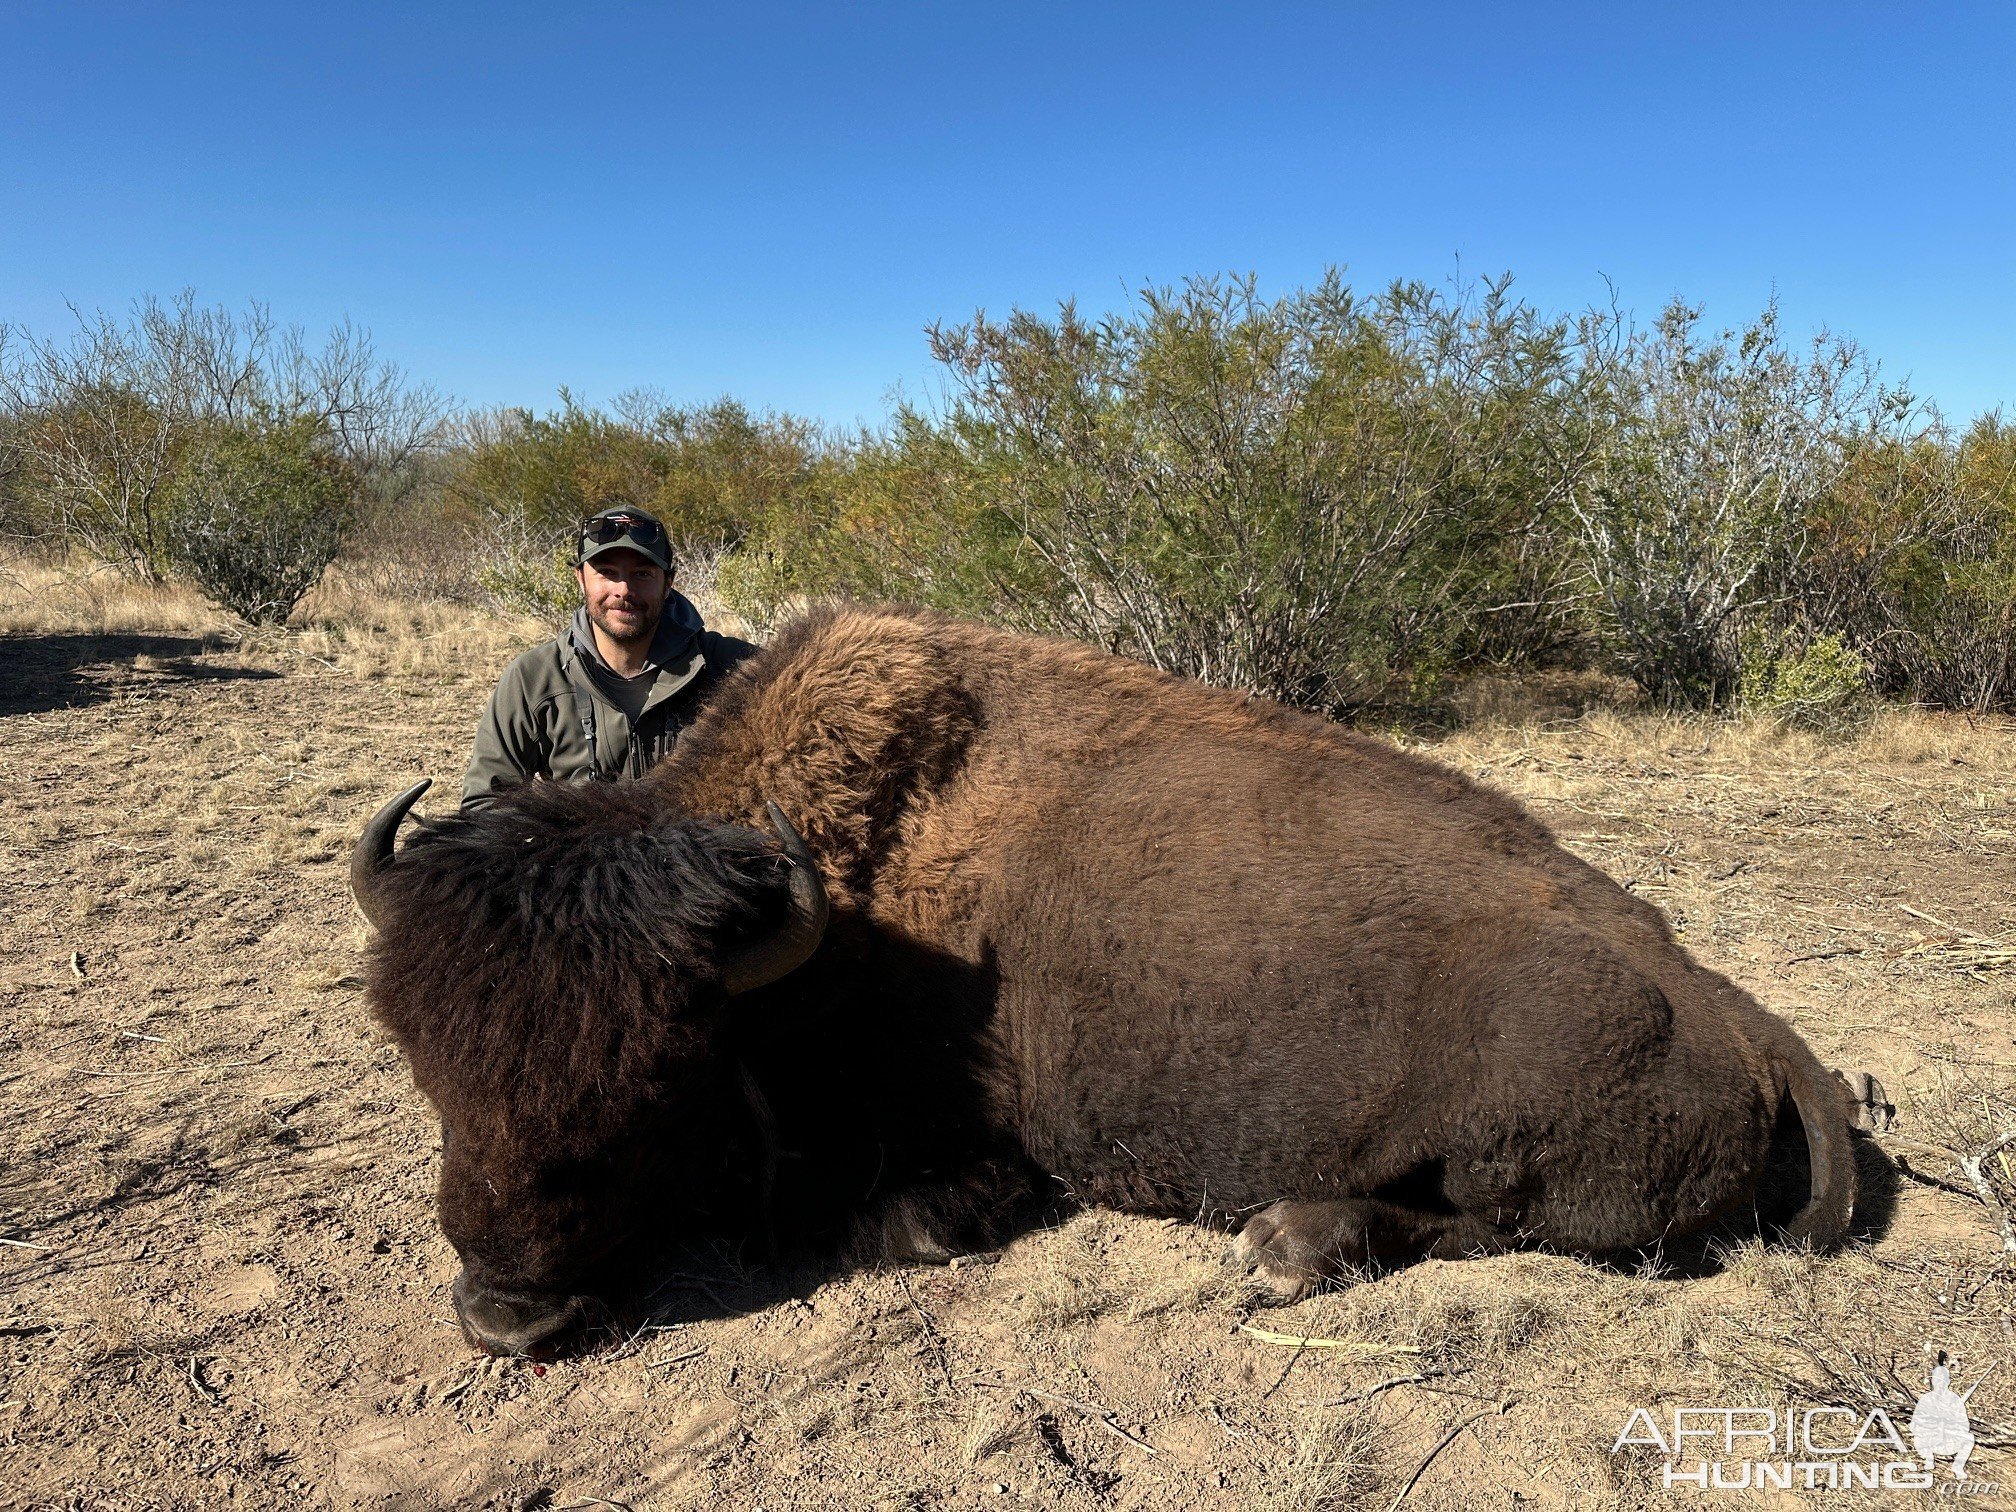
(535, 729)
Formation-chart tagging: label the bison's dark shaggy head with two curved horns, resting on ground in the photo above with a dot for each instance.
(559, 971)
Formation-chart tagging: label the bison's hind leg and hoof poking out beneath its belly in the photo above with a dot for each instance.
(1297, 1247)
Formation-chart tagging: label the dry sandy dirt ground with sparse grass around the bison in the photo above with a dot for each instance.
(221, 1281)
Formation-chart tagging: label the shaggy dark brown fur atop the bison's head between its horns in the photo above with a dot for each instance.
(559, 938)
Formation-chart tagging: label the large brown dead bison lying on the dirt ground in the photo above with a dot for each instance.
(1057, 922)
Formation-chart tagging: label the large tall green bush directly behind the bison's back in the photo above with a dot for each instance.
(1301, 497)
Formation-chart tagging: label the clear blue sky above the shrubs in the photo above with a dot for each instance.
(775, 201)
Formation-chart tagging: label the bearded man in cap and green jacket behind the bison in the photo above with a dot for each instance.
(614, 690)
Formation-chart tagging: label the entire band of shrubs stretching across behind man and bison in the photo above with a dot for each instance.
(1328, 497)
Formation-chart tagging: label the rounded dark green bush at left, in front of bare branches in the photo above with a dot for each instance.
(257, 513)
